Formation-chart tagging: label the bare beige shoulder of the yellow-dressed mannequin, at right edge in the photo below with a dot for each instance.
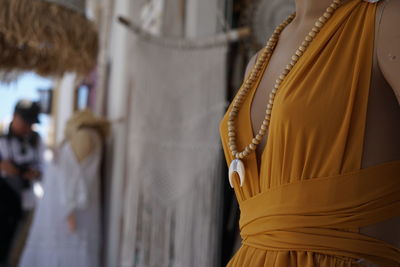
(388, 44)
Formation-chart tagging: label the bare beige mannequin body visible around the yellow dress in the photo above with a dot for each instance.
(382, 141)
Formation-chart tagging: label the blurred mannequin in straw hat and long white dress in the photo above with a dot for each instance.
(66, 228)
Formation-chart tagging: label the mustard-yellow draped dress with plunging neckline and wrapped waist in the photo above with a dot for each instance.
(311, 196)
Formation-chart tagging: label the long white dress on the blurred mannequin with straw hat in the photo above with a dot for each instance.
(69, 186)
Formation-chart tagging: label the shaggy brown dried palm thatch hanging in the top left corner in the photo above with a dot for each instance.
(48, 37)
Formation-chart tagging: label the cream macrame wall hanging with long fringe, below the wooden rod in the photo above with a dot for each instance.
(173, 190)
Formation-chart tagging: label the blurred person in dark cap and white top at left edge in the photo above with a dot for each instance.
(21, 154)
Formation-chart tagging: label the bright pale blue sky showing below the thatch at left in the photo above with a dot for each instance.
(24, 88)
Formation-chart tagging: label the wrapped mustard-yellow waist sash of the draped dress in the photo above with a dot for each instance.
(317, 214)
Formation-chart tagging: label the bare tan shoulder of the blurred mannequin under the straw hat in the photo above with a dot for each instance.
(82, 144)
